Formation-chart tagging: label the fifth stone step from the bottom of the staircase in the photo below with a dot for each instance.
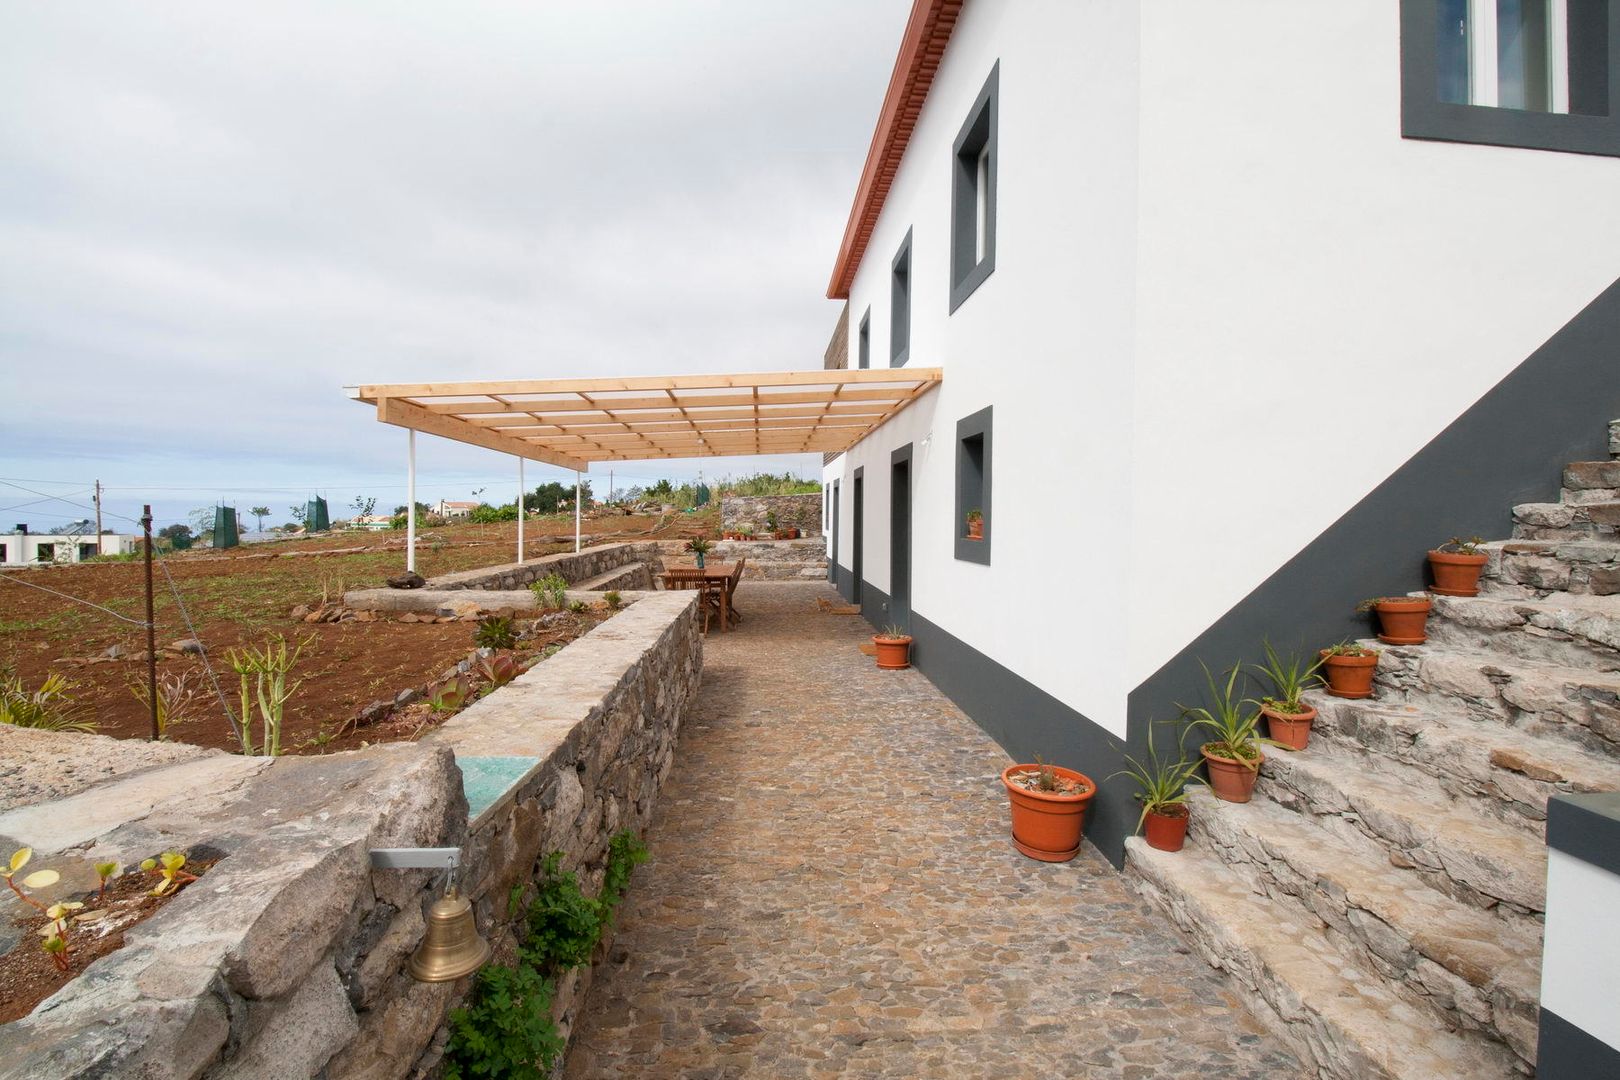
(1579, 705)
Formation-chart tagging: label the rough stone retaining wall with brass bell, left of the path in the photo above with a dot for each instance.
(288, 959)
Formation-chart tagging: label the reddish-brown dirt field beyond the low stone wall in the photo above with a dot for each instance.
(245, 597)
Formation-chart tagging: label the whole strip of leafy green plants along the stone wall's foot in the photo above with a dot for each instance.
(506, 1029)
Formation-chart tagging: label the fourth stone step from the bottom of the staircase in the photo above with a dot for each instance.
(1511, 772)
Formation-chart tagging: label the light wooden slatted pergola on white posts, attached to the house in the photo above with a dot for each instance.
(573, 423)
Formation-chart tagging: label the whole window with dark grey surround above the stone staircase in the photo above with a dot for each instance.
(1532, 74)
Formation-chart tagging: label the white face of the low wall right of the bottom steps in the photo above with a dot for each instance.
(1580, 966)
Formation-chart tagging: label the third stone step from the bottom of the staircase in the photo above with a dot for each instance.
(1454, 846)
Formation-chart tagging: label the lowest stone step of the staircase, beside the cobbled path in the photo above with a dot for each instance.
(1337, 1016)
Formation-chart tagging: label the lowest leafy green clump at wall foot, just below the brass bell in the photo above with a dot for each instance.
(505, 1031)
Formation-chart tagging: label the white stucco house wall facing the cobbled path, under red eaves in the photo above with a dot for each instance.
(1044, 339)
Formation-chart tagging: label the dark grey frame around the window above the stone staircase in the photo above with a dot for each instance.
(1426, 117)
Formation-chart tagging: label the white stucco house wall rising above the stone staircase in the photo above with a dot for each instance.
(1318, 297)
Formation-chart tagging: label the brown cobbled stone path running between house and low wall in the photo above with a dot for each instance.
(833, 893)
